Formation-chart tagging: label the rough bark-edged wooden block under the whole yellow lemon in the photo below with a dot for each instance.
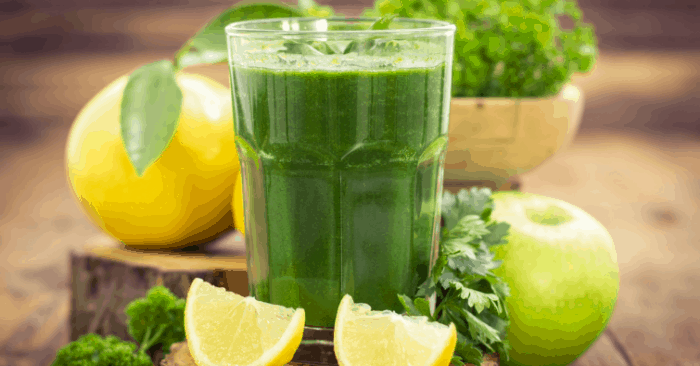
(106, 276)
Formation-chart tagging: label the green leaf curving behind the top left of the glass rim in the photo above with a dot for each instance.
(209, 45)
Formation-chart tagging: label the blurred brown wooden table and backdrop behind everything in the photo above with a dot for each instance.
(634, 164)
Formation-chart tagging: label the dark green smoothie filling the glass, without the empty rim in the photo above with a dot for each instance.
(342, 172)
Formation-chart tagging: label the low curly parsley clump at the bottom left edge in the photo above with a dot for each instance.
(93, 350)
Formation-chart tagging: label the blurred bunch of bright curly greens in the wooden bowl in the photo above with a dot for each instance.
(507, 48)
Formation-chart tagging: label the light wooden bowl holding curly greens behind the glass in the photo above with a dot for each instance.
(492, 139)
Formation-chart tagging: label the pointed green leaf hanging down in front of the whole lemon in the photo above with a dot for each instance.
(150, 111)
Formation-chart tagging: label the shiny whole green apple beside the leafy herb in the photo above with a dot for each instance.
(561, 266)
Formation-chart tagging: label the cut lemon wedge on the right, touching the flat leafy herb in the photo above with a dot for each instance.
(368, 338)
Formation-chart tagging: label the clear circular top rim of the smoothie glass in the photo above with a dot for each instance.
(434, 26)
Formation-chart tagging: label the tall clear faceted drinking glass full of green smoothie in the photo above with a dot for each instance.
(341, 131)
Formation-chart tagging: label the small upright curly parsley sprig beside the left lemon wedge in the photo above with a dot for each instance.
(157, 319)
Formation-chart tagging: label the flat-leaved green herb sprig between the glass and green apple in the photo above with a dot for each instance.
(466, 292)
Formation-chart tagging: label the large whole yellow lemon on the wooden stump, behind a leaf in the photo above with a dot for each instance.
(184, 197)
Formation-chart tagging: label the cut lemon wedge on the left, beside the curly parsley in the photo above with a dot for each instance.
(224, 328)
